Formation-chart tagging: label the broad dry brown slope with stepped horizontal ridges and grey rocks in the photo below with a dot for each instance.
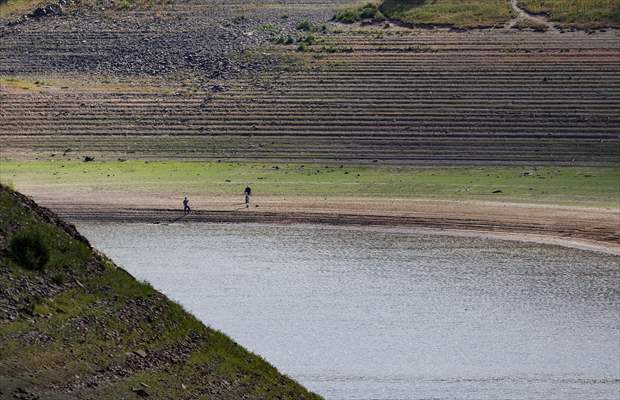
(189, 80)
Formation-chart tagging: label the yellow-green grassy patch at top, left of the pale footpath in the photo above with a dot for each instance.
(457, 13)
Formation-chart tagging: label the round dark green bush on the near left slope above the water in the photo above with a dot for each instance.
(28, 249)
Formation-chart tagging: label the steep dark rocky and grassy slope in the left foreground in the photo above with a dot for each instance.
(74, 325)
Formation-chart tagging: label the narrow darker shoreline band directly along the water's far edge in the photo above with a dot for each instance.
(547, 234)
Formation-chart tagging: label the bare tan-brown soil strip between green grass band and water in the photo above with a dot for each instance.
(577, 224)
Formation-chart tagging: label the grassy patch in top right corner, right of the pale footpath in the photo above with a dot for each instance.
(585, 14)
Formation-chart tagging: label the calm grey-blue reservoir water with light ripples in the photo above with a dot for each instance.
(370, 314)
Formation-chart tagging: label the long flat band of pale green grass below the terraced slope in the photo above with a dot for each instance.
(554, 185)
